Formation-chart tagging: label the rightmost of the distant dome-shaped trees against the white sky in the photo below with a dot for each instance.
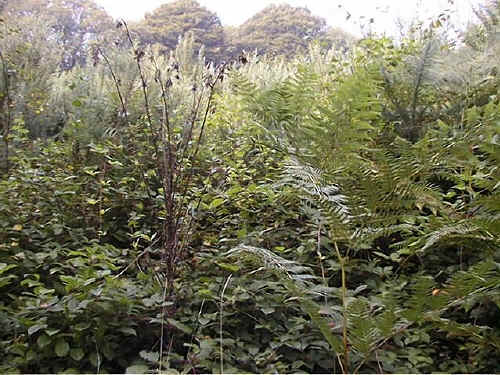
(279, 29)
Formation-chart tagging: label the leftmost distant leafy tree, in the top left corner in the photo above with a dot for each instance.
(73, 22)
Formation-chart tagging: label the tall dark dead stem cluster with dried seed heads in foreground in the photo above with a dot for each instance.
(175, 154)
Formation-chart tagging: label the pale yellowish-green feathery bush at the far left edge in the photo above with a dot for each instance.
(29, 62)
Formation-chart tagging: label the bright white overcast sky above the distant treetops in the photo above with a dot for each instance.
(384, 12)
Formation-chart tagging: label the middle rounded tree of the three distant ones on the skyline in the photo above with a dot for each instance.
(166, 24)
